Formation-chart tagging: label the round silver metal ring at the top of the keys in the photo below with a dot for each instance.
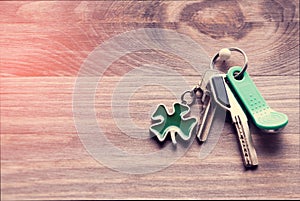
(240, 75)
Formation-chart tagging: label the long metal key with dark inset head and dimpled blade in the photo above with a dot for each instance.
(224, 98)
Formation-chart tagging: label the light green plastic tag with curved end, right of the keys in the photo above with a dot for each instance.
(263, 116)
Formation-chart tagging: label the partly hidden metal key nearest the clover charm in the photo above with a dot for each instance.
(209, 107)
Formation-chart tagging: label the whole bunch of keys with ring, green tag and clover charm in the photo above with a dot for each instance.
(234, 93)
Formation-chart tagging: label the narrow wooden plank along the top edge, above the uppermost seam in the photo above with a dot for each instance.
(147, 11)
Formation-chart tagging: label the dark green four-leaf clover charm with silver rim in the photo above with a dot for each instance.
(172, 123)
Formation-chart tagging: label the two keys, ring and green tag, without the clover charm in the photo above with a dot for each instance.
(236, 93)
